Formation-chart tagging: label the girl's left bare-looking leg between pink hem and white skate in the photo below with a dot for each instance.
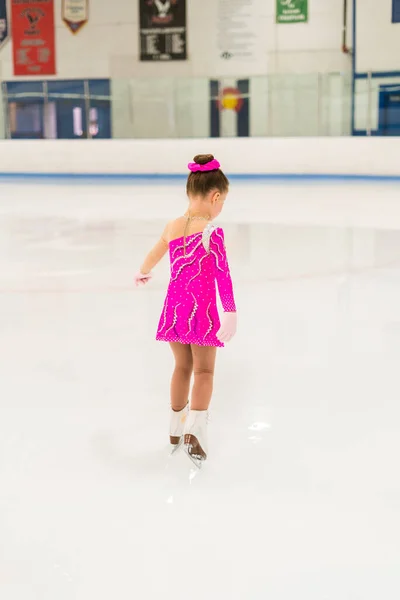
(180, 383)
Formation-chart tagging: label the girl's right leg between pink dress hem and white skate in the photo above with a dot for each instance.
(203, 367)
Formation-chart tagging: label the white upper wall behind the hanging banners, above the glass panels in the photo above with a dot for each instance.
(224, 37)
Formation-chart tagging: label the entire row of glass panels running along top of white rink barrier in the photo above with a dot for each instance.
(279, 105)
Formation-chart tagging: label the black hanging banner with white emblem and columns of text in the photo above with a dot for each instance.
(162, 30)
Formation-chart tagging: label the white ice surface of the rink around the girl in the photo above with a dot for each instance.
(300, 497)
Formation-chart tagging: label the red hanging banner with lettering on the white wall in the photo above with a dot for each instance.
(33, 37)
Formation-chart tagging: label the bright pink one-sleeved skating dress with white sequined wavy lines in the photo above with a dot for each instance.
(190, 314)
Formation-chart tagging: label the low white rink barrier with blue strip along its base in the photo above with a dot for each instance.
(351, 158)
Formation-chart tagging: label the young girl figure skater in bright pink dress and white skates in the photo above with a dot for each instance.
(189, 320)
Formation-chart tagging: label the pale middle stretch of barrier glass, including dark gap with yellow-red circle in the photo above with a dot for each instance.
(278, 105)
